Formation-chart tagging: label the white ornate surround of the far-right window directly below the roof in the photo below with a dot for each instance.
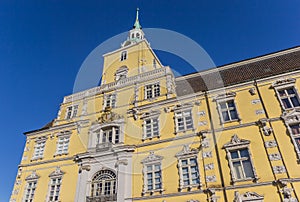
(283, 85)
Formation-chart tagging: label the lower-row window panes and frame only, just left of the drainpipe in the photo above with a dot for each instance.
(189, 171)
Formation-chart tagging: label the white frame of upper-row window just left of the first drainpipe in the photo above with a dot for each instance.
(180, 114)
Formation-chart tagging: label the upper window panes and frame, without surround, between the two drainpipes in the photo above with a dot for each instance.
(228, 111)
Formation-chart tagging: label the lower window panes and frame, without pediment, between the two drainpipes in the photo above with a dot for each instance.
(241, 164)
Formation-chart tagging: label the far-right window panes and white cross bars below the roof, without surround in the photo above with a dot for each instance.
(289, 98)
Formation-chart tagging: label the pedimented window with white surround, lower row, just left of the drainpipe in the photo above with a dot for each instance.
(188, 155)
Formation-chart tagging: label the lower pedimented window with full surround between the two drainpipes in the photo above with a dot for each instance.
(240, 161)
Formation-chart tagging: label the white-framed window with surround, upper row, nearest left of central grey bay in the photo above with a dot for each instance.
(63, 142)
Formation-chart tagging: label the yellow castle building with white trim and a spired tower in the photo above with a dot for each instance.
(230, 133)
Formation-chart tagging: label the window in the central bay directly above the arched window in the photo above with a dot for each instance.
(109, 134)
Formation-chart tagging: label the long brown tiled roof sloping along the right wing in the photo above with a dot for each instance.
(240, 72)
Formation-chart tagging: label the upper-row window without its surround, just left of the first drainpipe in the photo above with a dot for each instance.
(183, 120)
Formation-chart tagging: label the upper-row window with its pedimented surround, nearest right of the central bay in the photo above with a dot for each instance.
(151, 124)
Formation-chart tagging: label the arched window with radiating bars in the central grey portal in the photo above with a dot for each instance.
(104, 185)
